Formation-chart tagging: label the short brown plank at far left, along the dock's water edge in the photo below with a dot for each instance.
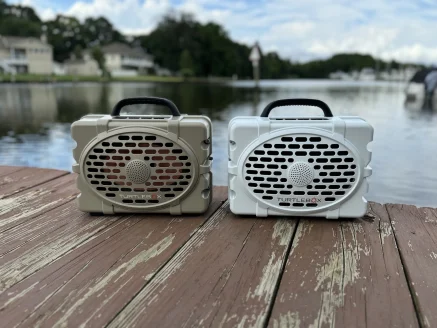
(26, 178)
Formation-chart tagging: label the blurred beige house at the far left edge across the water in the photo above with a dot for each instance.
(25, 55)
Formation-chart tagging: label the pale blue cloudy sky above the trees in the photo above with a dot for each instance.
(301, 30)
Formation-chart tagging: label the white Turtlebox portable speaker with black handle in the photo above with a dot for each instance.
(299, 166)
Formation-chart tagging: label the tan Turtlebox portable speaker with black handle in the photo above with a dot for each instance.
(143, 164)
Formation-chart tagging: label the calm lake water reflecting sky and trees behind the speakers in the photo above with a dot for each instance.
(35, 124)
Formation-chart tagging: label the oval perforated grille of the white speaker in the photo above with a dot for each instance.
(300, 171)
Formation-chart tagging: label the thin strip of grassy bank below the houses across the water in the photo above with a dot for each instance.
(35, 78)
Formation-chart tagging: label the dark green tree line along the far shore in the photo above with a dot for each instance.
(179, 43)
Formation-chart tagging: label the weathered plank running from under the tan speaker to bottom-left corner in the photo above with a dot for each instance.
(91, 283)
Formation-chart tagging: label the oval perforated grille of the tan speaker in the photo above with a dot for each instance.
(138, 169)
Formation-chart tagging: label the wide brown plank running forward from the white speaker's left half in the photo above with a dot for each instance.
(224, 276)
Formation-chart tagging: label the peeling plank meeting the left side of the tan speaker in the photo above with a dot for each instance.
(21, 207)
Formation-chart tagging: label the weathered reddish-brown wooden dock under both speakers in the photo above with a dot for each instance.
(63, 268)
